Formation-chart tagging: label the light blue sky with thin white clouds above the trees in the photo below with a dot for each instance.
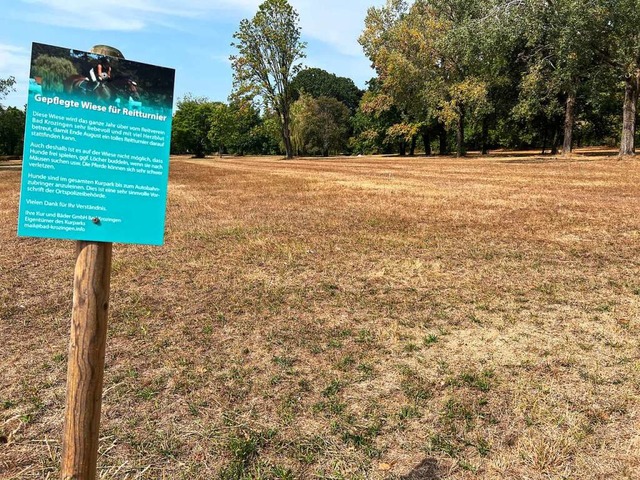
(192, 36)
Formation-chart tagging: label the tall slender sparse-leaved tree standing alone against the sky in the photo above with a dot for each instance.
(269, 48)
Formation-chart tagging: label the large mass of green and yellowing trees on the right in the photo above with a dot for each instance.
(510, 72)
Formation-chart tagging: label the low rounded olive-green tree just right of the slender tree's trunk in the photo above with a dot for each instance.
(319, 125)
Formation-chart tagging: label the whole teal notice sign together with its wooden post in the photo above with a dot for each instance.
(95, 170)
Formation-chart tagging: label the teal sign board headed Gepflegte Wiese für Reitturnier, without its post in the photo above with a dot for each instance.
(96, 150)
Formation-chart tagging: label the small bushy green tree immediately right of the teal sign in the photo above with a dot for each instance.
(191, 125)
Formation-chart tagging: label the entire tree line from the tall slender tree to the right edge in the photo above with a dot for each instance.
(451, 75)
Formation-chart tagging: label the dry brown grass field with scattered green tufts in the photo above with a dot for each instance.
(348, 318)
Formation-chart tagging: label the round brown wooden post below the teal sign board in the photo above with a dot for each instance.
(86, 360)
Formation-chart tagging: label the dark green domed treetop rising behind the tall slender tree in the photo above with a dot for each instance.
(320, 83)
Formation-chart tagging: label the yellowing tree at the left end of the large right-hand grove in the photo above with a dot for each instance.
(428, 59)
